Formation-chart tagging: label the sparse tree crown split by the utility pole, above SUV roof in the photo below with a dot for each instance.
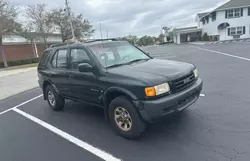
(82, 27)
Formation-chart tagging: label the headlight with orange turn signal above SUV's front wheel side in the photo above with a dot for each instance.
(157, 90)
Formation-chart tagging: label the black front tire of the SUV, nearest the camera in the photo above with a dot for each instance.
(136, 127)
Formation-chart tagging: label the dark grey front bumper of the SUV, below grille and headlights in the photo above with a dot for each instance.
(154, 109)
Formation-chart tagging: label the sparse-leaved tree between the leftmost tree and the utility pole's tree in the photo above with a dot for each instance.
(39, 20)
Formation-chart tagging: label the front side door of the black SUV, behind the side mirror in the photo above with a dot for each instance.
(84, 85)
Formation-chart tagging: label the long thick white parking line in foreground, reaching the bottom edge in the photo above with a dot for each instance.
(102, 154)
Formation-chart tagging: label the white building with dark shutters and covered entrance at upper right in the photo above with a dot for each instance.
(227, 22)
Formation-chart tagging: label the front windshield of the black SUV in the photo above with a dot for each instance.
(117, 53)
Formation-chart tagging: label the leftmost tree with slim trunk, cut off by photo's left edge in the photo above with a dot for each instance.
(8, 14)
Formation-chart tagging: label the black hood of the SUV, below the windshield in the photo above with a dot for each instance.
(156, 71)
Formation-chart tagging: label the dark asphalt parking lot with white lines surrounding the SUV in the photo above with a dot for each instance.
(216, 128)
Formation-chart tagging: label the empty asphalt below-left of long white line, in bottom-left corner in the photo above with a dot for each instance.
(22, 139)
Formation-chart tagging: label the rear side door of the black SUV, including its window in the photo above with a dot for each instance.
(59, 75)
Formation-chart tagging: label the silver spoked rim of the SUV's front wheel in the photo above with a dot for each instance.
(123, 119)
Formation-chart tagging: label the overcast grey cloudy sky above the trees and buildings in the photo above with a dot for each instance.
(135, 17)
